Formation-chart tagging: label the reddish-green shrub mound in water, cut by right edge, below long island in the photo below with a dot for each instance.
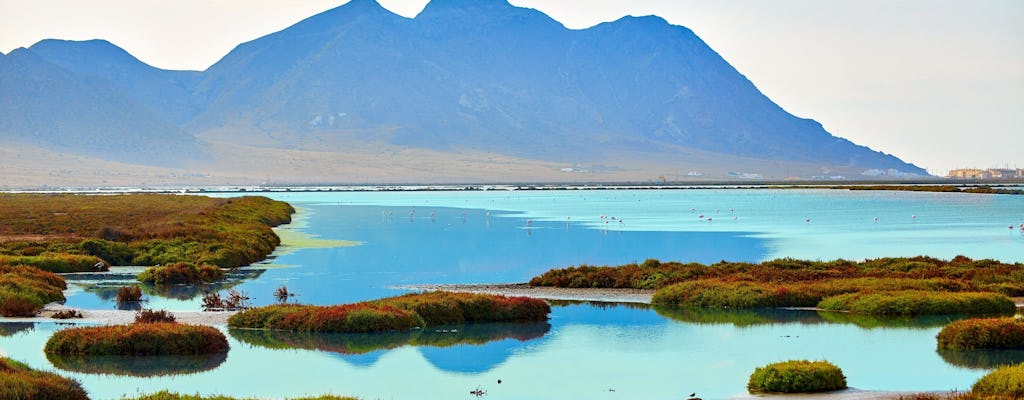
(983, 334)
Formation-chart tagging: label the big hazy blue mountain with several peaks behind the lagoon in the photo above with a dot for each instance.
(468, 86)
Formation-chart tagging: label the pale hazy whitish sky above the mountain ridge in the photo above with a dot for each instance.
(940, 83)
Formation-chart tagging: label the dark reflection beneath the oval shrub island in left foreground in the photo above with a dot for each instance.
(139, 366)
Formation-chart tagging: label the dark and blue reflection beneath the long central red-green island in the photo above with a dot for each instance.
(466, 348)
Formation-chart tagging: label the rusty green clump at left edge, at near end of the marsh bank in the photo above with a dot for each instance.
(25, 291)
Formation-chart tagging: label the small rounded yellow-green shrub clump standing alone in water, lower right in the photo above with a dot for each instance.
(797, 377)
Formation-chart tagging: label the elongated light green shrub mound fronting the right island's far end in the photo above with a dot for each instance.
(920, 303)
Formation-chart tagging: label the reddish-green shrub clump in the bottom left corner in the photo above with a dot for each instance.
(19, 382)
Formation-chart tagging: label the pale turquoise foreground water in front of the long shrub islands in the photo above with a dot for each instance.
(586, 350)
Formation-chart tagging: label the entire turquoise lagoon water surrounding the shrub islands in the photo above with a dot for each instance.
(588, 351)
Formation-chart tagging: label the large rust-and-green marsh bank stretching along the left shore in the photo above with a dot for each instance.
(187, 239)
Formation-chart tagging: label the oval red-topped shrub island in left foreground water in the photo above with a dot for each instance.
(138, 340)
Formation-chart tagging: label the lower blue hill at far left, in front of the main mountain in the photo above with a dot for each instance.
(48, 107)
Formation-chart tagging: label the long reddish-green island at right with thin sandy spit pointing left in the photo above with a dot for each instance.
(915, 286)
